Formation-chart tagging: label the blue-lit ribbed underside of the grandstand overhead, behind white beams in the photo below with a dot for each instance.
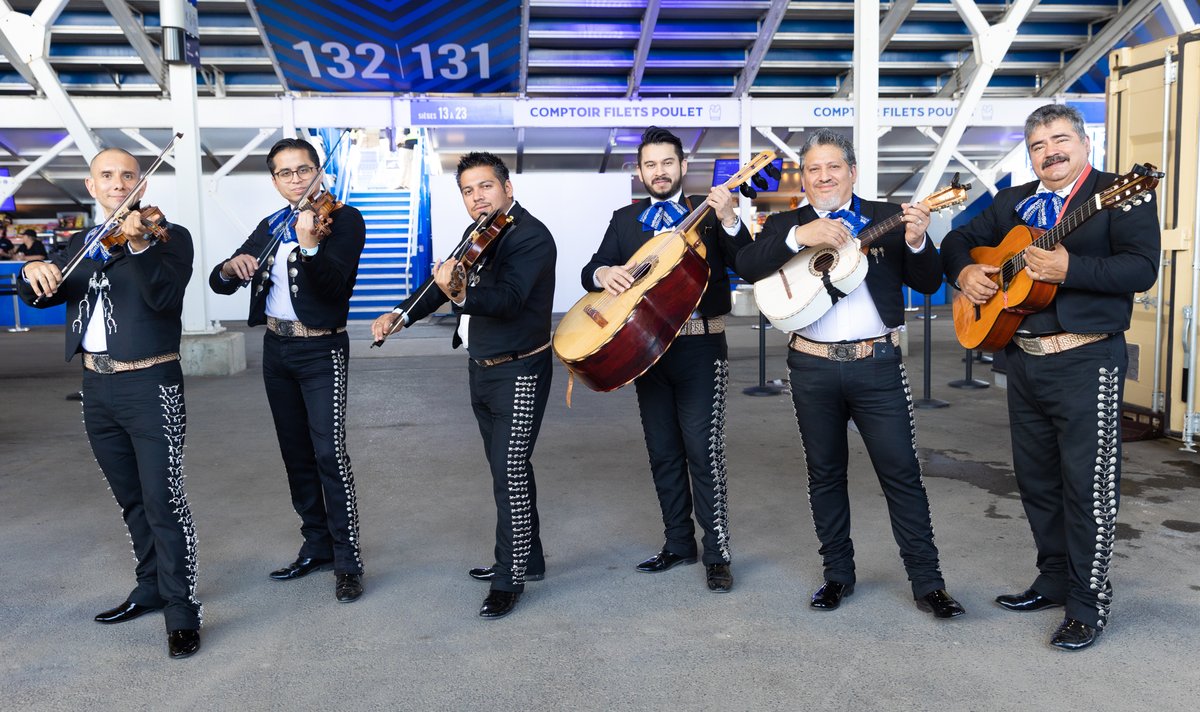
(616, 49)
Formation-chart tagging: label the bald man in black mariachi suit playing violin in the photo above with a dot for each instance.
(124, 303)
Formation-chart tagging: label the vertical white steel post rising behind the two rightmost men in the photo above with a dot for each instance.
(867, 97)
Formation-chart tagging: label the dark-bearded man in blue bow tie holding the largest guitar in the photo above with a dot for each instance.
(682, 397)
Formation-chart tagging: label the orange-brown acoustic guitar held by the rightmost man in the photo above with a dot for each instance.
(991, 326)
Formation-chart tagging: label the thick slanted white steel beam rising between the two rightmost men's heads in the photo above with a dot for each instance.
(991, 47)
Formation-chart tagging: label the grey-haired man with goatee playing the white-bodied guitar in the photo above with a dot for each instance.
(847, 366)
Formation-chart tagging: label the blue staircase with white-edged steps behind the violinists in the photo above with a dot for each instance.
(385, 270)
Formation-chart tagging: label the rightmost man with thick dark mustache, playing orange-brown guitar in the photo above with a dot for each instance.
(1066, 366)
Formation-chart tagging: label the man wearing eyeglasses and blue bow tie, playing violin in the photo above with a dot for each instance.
(302, 291)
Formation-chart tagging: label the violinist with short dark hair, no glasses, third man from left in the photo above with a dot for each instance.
(503, 304)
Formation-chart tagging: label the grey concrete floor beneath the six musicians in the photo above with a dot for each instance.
(596, 635)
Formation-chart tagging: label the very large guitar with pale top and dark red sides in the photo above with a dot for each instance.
(608, 342)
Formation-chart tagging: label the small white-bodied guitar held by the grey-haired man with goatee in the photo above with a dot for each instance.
(811, 284)
